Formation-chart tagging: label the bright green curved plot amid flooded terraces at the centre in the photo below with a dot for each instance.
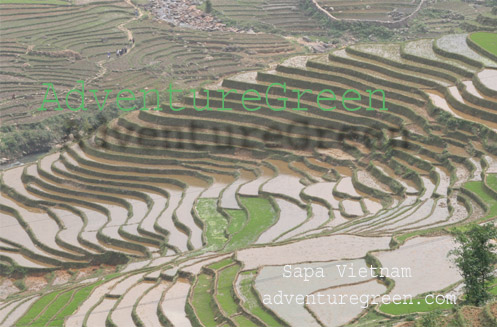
(261, 215)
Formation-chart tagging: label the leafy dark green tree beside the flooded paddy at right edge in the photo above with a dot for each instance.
(475, 258)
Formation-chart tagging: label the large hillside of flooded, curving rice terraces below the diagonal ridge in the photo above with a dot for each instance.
(200, 222)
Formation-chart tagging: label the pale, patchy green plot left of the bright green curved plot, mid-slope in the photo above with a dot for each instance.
(215, 223)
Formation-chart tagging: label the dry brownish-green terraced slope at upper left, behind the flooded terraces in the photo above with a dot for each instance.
(62, 43)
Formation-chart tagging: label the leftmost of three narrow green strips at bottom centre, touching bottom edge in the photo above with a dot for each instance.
(202, 300)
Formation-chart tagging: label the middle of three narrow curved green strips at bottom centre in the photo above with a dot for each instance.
(224, 296)
